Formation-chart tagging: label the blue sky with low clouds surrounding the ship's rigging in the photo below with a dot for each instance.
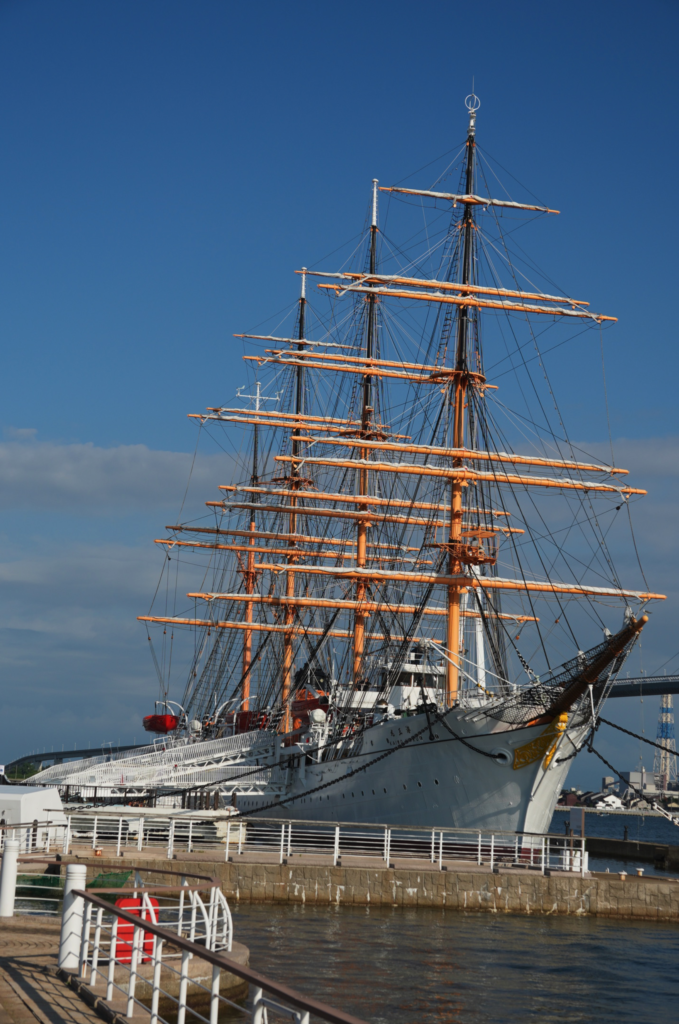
(166, 166)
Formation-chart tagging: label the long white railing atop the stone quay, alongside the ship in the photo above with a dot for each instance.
(233, 837)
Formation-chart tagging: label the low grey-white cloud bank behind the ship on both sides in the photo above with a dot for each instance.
(75, 665)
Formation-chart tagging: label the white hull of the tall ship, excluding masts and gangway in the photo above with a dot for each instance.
(440, 783)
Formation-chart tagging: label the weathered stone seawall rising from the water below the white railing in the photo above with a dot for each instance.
(513, 891)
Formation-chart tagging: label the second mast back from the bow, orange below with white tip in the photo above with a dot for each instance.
(366, 429)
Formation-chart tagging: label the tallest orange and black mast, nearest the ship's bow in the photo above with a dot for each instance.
(459, 385)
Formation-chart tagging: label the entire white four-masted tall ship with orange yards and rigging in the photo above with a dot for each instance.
(403, 607)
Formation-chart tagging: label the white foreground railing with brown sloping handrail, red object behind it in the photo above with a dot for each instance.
(134, 963)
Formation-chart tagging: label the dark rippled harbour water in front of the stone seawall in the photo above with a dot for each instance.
(402, 965)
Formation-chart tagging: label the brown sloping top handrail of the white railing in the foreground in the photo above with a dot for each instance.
(305, 1003)
